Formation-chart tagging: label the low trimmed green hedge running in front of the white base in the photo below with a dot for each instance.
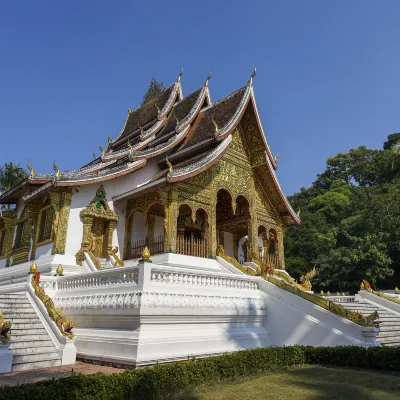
(166, 380)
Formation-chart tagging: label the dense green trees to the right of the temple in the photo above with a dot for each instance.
(350, 221)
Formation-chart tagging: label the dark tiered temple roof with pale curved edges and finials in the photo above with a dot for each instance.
(185, 135)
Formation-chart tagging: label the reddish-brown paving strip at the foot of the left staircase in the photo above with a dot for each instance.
(37, 375)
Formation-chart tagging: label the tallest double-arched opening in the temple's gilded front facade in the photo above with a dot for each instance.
(233, 223)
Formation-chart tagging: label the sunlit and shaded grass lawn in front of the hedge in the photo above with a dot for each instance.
(309, 383)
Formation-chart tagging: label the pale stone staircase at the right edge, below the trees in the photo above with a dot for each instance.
(389, 321)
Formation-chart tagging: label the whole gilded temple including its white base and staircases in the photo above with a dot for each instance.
(167, 246)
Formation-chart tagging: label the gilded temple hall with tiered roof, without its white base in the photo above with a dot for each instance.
(184, 175)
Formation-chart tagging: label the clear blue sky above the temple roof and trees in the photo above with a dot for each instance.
(327, 72)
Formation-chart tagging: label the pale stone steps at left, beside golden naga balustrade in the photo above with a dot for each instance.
(31, 345)
